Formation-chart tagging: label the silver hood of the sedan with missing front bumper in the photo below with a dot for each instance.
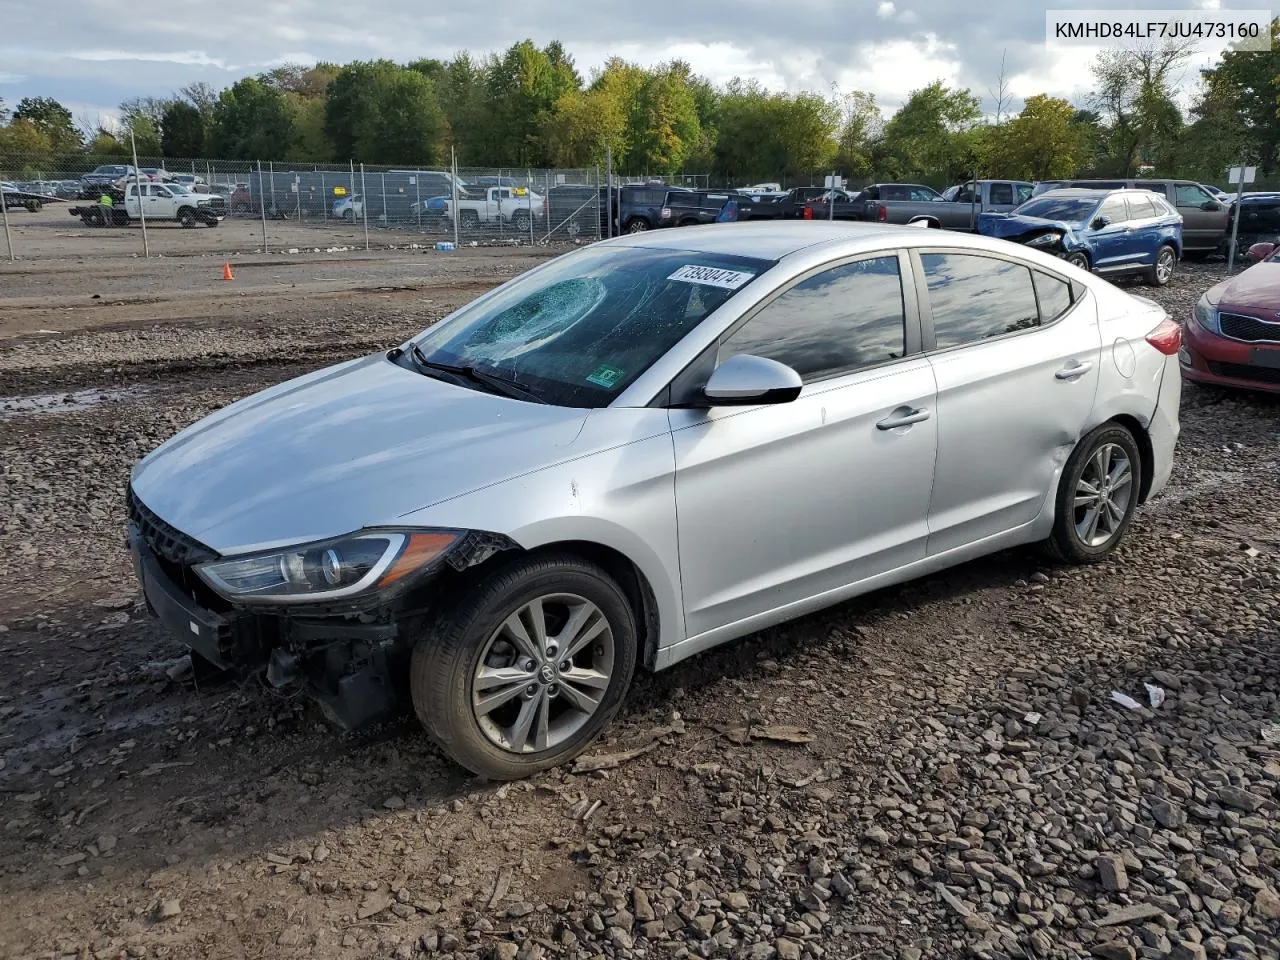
(353, 446)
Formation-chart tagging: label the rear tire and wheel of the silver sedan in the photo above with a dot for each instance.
(1104, 446)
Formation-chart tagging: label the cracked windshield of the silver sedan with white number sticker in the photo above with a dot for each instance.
(584, 328)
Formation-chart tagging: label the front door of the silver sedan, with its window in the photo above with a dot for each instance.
(787, 502)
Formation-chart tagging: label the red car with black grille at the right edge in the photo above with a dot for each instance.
(1233, 337)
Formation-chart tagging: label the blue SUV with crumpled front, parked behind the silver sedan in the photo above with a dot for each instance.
(1110, 232)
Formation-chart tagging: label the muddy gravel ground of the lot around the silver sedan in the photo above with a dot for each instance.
(935, 771)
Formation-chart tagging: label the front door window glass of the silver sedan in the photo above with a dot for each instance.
(843, 319)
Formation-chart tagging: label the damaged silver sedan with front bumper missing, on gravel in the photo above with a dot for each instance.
(646, 449)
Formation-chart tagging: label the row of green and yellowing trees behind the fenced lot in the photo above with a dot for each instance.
(532, 108)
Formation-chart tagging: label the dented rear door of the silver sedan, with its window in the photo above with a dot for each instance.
(1016, 356)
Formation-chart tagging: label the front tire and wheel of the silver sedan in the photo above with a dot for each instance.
(460, 641)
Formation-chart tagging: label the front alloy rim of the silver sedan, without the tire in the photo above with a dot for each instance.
(543, 674)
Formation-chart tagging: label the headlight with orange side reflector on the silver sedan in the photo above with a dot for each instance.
(328, 570)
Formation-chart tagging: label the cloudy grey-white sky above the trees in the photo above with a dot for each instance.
(93, 56)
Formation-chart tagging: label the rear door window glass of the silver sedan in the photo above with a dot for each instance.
(976, 298)
